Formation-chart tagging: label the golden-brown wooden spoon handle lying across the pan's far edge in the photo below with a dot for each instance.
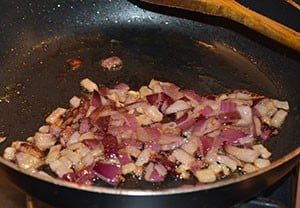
(233, 10)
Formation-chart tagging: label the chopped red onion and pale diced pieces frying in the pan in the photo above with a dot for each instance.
(156, 131)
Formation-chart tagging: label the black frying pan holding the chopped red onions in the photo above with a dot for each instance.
(195, 51)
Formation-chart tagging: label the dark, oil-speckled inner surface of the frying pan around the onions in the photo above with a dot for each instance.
(35, 77)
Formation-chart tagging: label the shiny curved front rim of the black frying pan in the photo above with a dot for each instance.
(159, 192)
